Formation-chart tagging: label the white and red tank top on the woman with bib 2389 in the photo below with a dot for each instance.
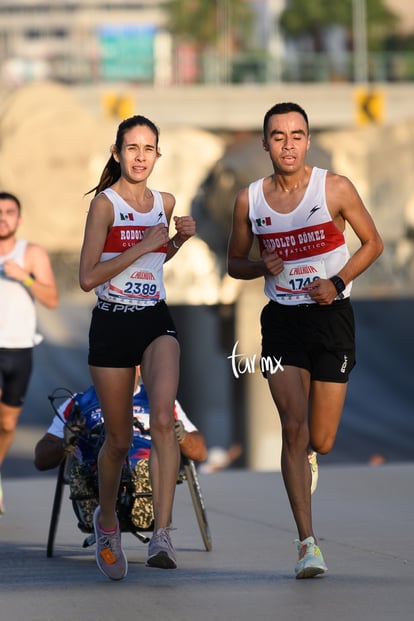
(140, 284)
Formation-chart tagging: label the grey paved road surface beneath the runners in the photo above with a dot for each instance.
(363, 516)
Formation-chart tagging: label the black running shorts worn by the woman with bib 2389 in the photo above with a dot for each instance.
(120, 333)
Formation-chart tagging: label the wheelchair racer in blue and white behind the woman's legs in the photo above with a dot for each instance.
(83, 411)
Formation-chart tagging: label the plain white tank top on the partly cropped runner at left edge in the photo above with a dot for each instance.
(17, 308)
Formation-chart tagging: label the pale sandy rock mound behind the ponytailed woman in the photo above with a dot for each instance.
(52, 151)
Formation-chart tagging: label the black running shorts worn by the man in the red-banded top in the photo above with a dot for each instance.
(318, 338)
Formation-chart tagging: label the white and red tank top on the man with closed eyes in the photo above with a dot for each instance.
(307, 240)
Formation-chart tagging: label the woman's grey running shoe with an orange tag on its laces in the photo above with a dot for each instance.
(110, 556)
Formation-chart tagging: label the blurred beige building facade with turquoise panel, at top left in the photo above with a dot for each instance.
(80, 41)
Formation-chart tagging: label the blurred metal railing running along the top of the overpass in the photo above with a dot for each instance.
(79, 67)
